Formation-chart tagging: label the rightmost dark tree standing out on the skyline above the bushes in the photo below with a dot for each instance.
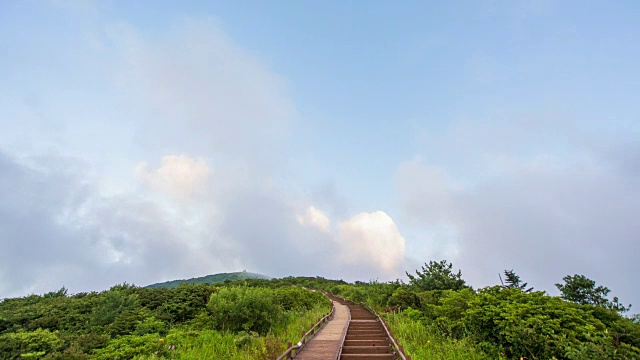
(582, 290)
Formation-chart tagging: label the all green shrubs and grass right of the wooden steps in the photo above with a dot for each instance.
(507, 322)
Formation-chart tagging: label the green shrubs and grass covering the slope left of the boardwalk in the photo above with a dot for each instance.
(127, 321)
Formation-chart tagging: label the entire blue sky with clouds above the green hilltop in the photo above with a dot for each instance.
(155, 140)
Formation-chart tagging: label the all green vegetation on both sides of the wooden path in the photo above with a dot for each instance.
(435, 316)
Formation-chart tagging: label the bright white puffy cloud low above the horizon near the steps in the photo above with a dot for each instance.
(372, 240)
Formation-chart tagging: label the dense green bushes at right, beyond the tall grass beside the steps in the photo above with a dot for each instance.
(520, 324)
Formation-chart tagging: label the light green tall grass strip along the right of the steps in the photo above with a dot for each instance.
(423, 341)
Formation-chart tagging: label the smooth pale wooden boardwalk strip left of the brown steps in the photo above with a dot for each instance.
(327, 342)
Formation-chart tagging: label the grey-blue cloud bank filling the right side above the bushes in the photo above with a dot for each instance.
(544, 213)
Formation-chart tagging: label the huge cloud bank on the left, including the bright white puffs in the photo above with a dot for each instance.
(176, 179)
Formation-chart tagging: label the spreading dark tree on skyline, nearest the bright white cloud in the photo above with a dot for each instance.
(437, 276)
